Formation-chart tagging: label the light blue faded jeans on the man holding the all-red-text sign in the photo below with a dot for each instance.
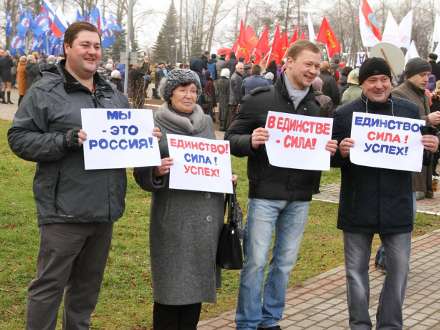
(264, 309)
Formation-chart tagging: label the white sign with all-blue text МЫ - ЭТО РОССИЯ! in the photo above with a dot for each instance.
(119, 138)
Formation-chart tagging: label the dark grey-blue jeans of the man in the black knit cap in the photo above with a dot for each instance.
(357, 249)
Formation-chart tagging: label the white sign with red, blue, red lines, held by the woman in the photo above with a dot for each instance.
(200, 164)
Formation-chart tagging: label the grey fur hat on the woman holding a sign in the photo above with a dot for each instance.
(176, 78)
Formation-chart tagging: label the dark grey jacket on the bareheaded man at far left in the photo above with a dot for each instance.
(64, 191)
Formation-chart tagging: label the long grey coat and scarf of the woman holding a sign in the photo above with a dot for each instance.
(184, 225)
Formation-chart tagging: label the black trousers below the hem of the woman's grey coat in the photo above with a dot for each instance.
(176, 317)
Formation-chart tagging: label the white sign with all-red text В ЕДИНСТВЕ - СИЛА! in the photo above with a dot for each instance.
(297, 141)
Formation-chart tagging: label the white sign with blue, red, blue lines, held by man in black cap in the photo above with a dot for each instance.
(386, 142)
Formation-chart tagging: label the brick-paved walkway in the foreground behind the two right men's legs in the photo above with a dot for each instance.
(320, 303)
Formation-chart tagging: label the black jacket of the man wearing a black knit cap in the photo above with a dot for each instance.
(373, 200)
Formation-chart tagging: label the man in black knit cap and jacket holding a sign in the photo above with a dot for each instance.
(375, 200)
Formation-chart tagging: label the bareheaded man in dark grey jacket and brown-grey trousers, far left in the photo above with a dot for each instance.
(76, 208)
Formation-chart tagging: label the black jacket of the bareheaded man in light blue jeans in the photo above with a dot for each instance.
(267, 181)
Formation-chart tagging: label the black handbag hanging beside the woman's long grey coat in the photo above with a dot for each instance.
(229, 250)
